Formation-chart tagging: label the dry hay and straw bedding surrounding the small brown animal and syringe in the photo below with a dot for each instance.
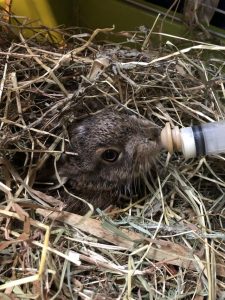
(167, 245)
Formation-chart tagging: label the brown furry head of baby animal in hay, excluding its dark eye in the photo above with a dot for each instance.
(88, 175)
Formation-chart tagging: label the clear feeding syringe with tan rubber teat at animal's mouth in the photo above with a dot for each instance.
(196, 140)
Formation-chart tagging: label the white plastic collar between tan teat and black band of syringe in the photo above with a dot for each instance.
(188, 142)
